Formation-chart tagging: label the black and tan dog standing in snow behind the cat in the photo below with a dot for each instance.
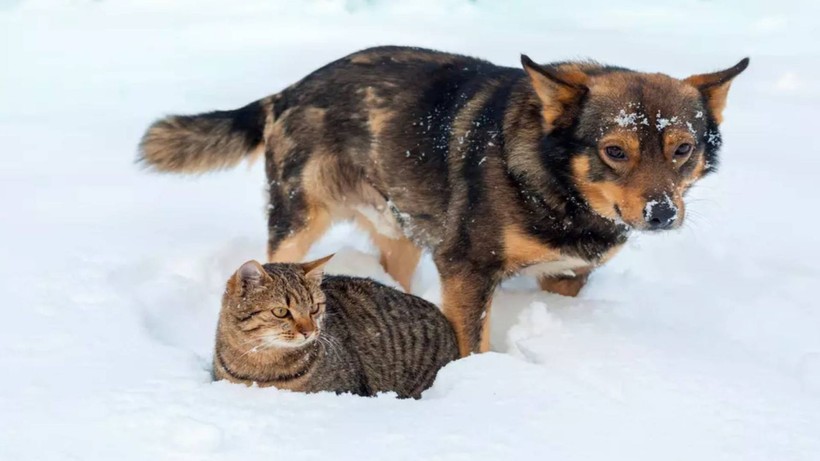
(492, 169)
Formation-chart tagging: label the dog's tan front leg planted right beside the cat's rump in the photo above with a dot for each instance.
(466, 297)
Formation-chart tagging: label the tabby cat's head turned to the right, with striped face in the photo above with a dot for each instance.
(280, 305)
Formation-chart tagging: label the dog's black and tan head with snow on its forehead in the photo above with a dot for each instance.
(636, 142)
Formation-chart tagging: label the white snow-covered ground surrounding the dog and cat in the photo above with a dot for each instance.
(699, 344)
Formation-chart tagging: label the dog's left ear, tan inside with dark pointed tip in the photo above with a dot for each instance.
(559, 88)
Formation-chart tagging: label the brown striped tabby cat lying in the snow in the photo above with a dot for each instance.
(291, 327)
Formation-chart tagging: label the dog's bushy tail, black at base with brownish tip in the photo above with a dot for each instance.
(204, 142)
